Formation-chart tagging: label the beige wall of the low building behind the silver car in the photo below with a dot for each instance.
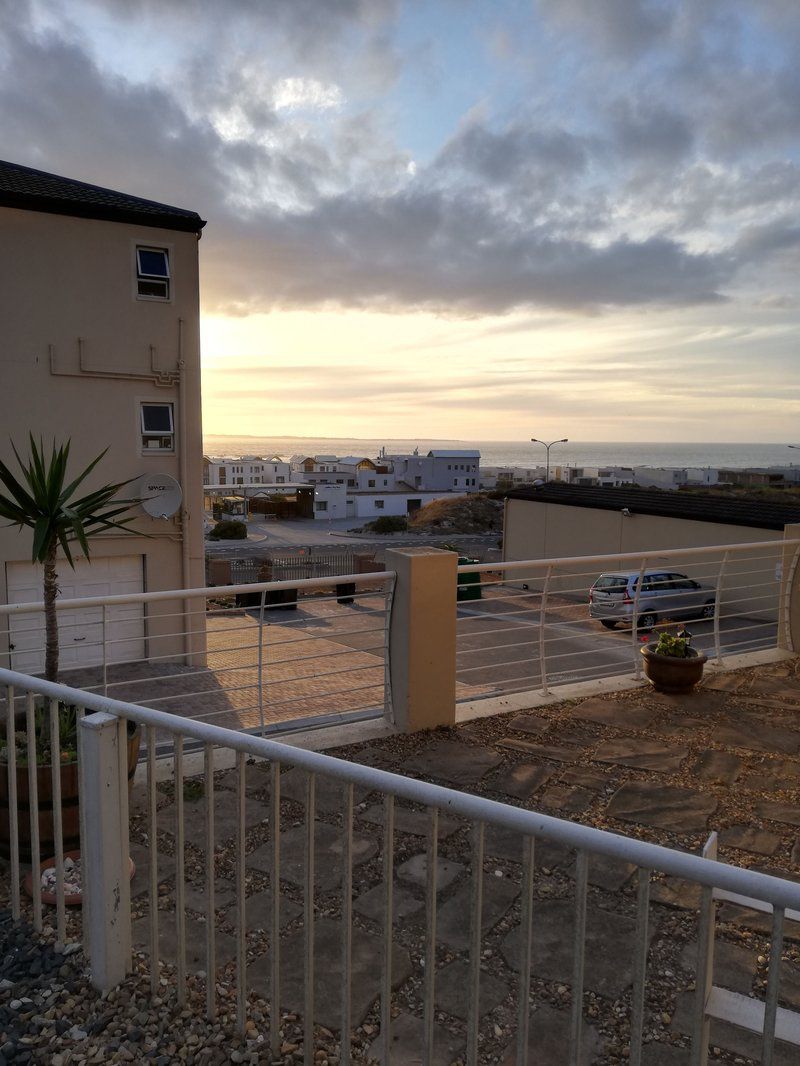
(556, 531)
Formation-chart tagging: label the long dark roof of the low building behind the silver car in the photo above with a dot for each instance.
(698, 507)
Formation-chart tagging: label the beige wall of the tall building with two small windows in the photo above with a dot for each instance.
(81, 353)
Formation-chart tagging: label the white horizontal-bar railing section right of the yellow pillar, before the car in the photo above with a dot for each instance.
(534, 626)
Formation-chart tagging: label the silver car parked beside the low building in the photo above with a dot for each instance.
(665, 594)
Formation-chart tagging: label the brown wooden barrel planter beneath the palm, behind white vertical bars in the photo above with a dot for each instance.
(70, 810)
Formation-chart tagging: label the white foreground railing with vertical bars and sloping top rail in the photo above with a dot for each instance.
(107, 902)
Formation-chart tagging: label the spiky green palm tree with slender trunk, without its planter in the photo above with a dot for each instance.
(43, 503)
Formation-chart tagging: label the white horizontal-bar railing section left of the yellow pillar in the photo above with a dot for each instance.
(259, 656)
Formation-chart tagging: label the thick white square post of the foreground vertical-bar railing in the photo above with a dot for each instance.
(105, 853)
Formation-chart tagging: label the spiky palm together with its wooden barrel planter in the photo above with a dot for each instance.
(44, 500)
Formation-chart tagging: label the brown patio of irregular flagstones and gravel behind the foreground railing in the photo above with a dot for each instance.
(663, 769)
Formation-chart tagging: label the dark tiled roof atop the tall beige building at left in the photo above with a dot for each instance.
(31, 190)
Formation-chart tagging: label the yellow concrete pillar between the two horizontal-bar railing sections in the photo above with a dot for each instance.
(423, 638)
